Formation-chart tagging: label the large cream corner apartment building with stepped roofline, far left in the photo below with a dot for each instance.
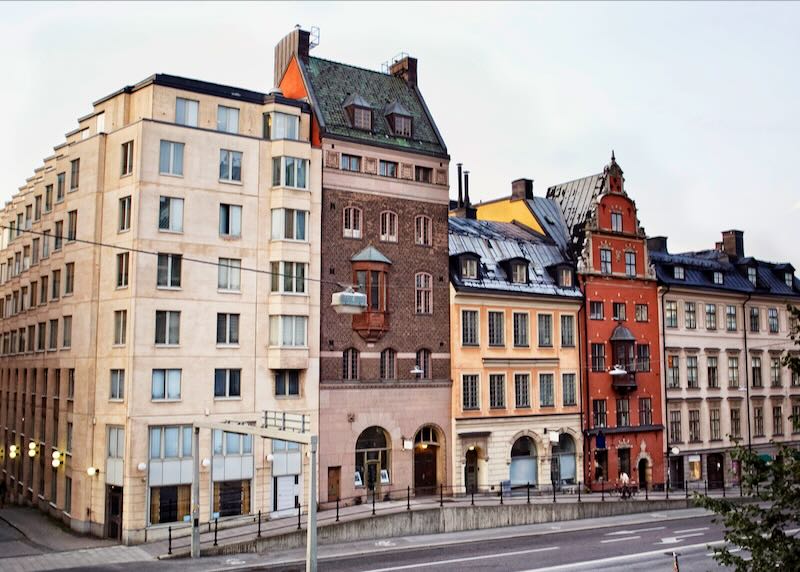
(161, 267)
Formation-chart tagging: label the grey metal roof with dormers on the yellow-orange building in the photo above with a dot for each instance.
(497, 243)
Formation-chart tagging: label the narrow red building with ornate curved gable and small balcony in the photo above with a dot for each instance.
(622, 389)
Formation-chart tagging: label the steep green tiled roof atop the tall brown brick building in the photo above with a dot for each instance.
(333, 83)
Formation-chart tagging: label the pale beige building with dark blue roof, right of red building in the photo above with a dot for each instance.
(725, 328)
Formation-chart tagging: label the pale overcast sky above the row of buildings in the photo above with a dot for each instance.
(698, 100)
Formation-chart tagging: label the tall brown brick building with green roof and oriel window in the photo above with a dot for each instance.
(385, 373)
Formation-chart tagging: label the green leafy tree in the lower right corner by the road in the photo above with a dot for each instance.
(760, 528)
